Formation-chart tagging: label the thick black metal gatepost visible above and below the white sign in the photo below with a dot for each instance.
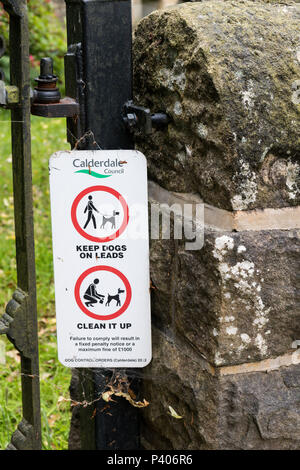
(102, 30)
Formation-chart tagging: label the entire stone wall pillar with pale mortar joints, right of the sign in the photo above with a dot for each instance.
(226, 318)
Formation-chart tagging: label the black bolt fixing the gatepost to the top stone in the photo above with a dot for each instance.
(140, 118)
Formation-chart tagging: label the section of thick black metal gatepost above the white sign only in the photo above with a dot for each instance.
(104, 30)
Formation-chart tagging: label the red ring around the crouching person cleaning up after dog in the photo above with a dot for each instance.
(117, 273)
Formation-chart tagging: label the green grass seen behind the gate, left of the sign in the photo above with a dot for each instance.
(48, 136)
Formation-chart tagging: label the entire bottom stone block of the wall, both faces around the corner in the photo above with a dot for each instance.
(243, 411)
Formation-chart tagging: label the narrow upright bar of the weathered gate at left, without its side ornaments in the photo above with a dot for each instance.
(23, 211)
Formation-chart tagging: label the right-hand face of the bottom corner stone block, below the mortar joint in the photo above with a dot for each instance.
(260, 411)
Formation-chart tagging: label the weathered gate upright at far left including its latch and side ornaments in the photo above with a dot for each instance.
(19, 322)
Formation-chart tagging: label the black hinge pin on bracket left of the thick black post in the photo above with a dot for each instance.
(46, 100)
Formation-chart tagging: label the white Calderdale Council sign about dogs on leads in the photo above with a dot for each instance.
(99, 207)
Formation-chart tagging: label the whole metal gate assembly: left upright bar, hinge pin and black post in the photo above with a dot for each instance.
(98, 71)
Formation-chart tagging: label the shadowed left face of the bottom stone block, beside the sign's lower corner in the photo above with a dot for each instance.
(179, 378)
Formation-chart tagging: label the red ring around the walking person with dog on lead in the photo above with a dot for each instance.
(91, 237)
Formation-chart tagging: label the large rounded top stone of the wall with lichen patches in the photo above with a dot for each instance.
(228, 75)
